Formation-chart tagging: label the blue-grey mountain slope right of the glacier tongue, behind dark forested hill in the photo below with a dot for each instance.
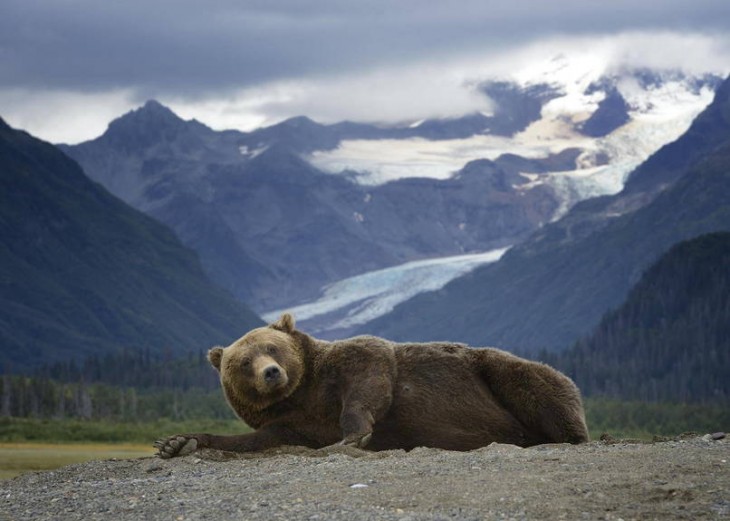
(553, 288)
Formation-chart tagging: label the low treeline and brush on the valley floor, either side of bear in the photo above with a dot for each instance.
(115, 410)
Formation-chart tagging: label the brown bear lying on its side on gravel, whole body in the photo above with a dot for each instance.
(372, 393)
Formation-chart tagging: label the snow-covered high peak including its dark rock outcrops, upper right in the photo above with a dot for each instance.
(616, 118)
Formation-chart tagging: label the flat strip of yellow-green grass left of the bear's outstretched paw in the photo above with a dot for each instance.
(19, 458)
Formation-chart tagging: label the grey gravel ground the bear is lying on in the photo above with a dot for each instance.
(675, 479)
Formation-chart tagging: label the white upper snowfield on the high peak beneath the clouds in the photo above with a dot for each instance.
(659, 113)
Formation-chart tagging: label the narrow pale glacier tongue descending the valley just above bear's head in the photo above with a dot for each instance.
(362, 298)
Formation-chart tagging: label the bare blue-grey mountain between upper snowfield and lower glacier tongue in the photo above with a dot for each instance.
(273, 229)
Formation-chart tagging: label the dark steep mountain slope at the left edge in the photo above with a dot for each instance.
(84, 273)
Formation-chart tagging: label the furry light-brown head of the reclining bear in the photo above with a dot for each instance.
(261, 368)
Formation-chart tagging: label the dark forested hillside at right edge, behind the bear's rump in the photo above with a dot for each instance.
(670, 339)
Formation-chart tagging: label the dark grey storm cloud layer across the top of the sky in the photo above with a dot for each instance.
(189, 46)
